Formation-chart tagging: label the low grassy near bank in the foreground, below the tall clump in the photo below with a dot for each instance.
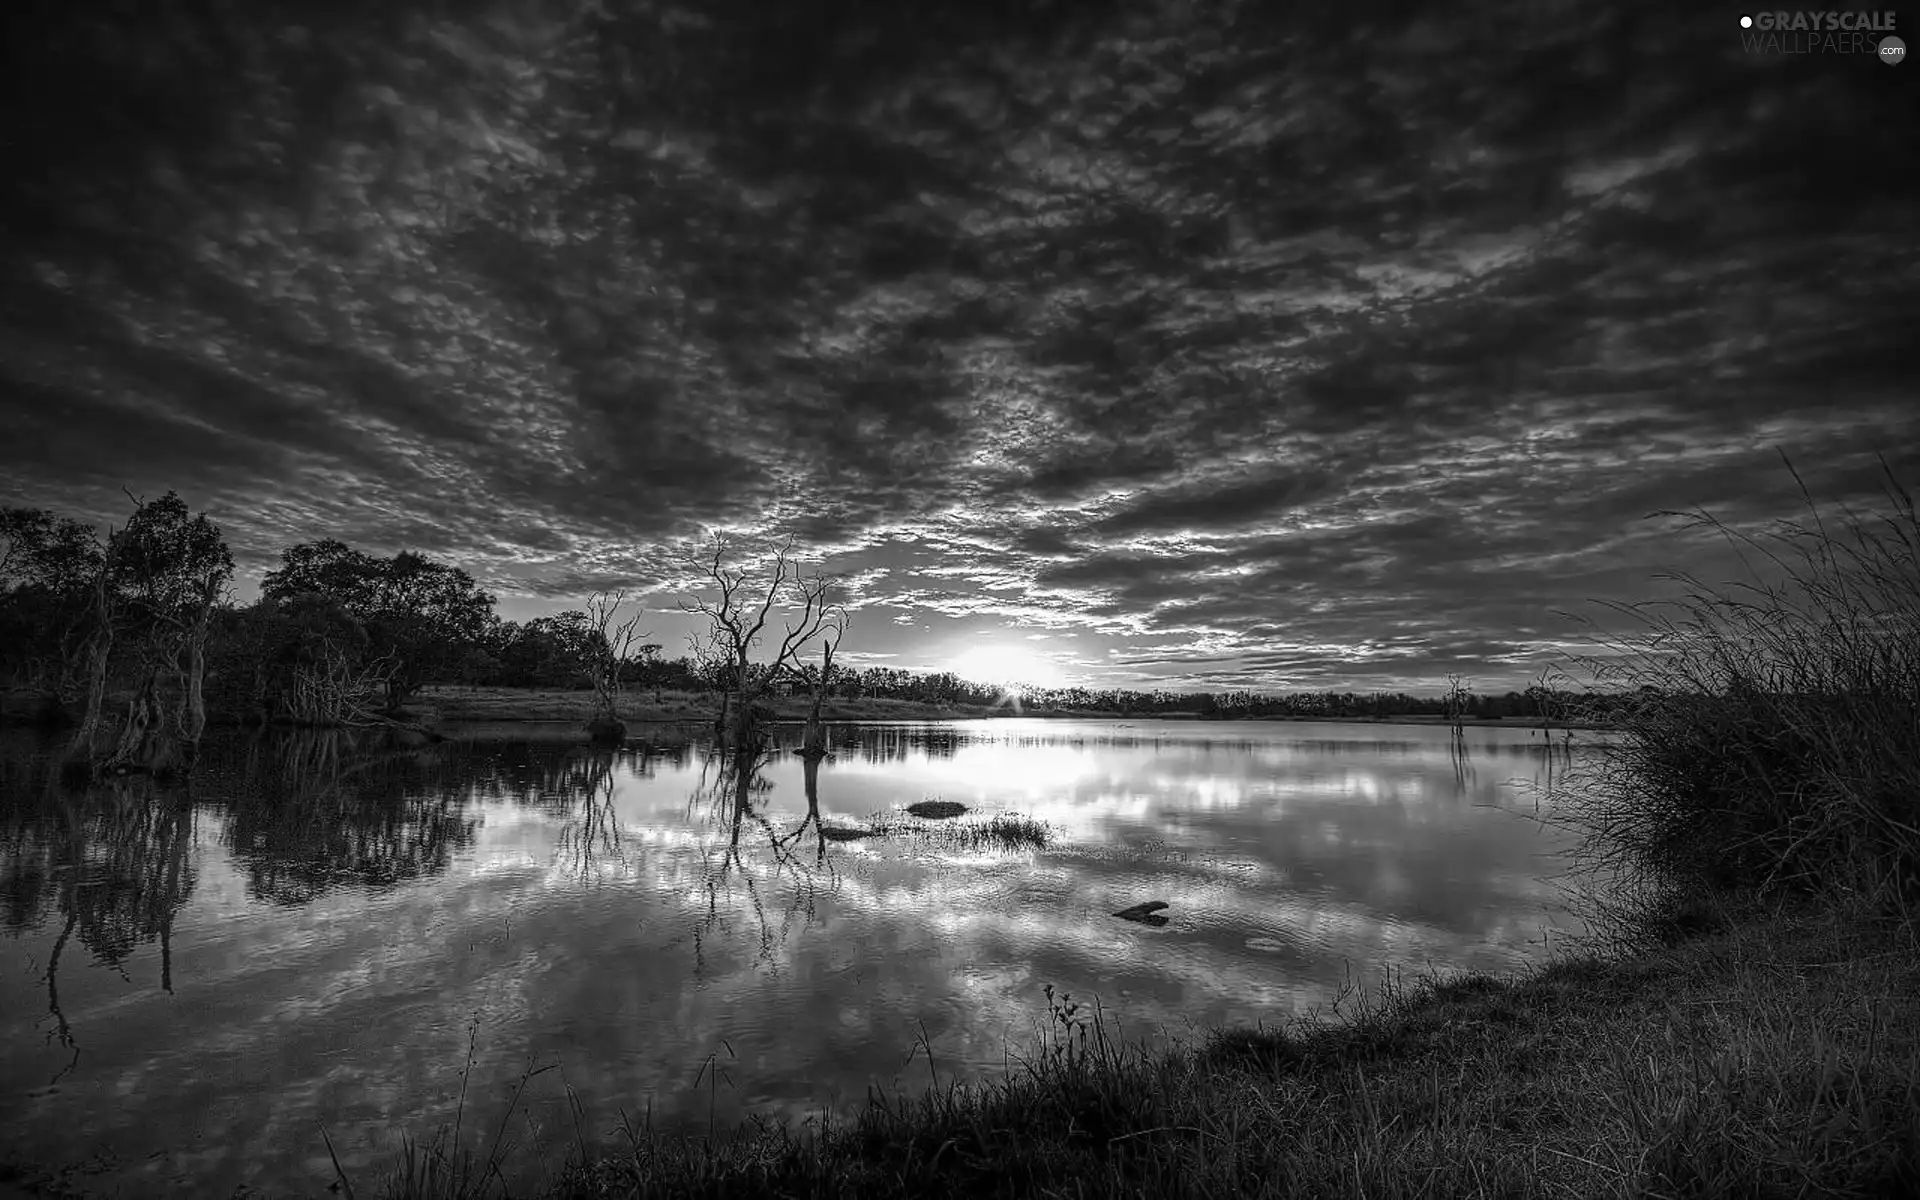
(1746, 1053)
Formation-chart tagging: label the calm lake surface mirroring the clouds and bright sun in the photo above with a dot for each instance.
(193, 986)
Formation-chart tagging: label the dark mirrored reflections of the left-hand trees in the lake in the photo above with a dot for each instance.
(302, 813)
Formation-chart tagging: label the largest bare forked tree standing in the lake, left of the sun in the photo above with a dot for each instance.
(738, 619)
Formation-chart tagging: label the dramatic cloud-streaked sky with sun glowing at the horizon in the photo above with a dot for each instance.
(1197, 347)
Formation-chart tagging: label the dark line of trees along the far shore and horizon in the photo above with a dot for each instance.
(343, 636)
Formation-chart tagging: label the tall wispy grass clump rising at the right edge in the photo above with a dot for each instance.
(1775, 742)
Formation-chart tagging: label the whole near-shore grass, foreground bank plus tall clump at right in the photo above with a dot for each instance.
(1748, 1028)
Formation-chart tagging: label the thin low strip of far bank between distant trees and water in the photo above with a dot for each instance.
(456, 704)
